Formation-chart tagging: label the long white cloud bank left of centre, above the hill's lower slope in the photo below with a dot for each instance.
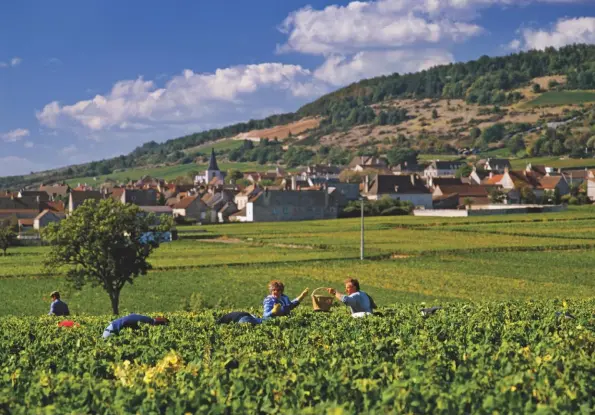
(186, 98)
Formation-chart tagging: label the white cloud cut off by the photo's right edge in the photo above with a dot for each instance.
(564, 32)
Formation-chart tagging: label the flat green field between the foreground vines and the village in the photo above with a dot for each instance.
(408, 259)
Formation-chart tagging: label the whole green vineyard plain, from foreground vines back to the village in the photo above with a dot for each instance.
(516, 333)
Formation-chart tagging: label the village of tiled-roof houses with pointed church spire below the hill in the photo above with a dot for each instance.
(315, 192)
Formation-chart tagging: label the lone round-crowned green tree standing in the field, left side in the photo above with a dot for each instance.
(104, 243)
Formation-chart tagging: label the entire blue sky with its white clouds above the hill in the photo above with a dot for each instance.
(85, 80)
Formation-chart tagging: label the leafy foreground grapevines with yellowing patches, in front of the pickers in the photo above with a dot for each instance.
(507, 357)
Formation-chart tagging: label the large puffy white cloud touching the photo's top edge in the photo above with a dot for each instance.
(381, 24)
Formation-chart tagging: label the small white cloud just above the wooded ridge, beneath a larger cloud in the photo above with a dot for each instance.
(341, 70)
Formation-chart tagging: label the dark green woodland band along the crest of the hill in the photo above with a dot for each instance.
(486, 81)
